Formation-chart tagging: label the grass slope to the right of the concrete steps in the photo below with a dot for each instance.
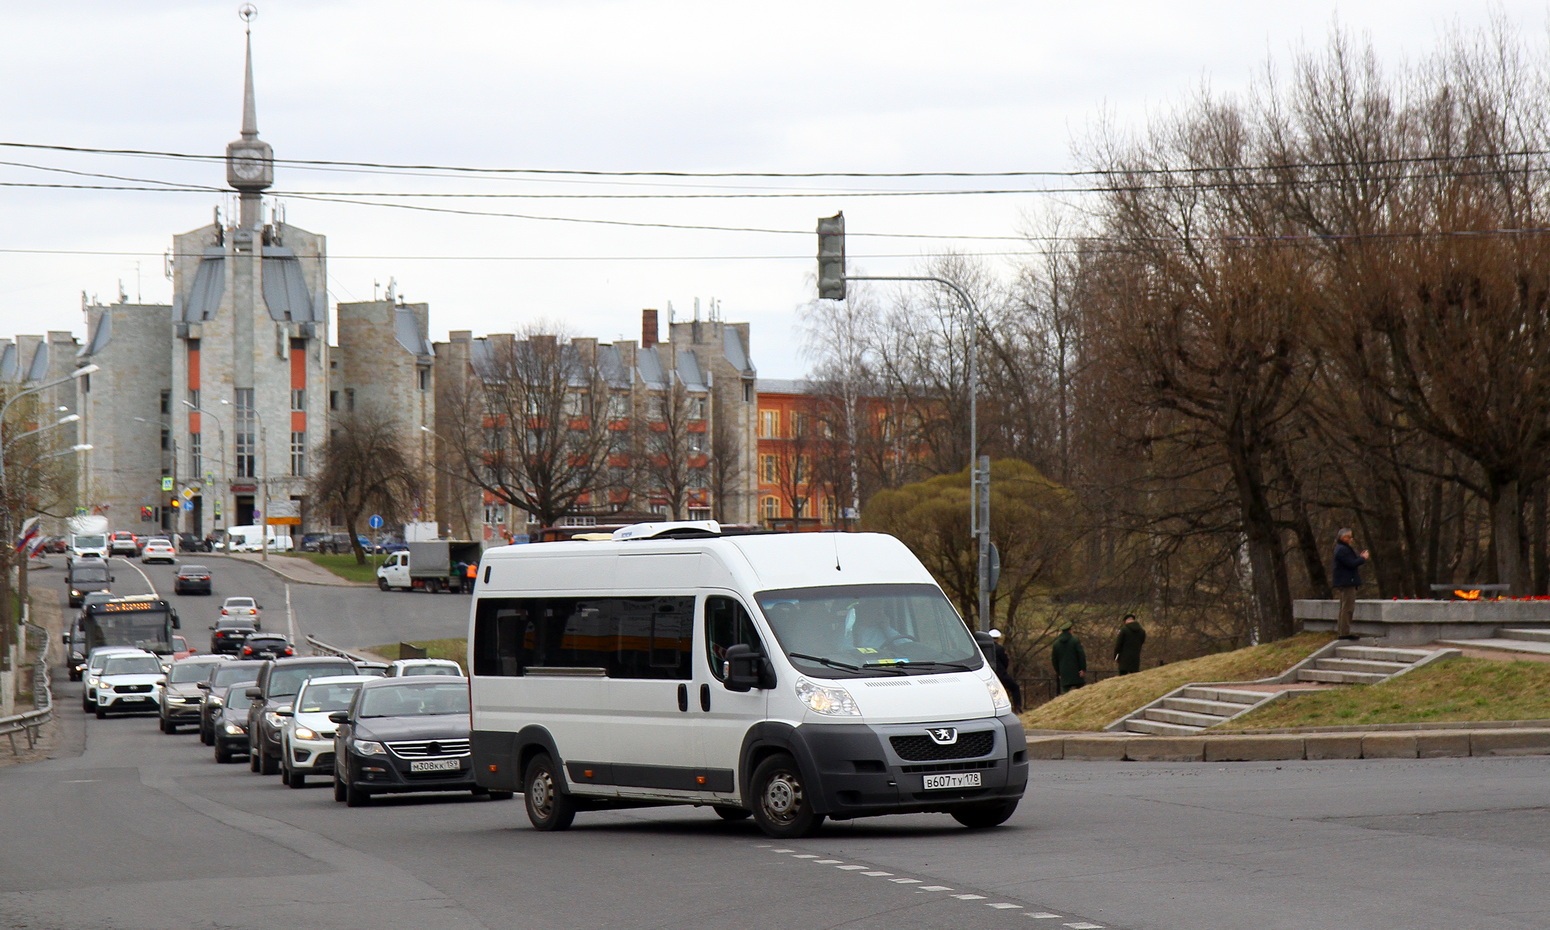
(1458, 691)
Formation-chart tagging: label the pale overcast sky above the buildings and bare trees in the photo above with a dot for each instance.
(584, 86)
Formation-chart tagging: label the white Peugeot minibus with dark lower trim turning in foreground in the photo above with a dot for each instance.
(787, 677)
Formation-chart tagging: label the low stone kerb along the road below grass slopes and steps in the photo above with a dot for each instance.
(1404, 742)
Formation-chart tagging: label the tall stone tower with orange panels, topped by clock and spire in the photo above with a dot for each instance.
(250, 356)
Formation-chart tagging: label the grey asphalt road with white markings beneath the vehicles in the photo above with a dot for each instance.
(129, 828)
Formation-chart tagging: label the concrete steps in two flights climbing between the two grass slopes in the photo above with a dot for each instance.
(1199, 708)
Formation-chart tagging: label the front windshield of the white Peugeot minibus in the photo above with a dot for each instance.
(870, 630)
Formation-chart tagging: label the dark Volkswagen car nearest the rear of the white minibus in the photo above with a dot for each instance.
(401, 735)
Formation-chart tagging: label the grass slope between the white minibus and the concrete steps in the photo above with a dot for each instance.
(1103, 703)
